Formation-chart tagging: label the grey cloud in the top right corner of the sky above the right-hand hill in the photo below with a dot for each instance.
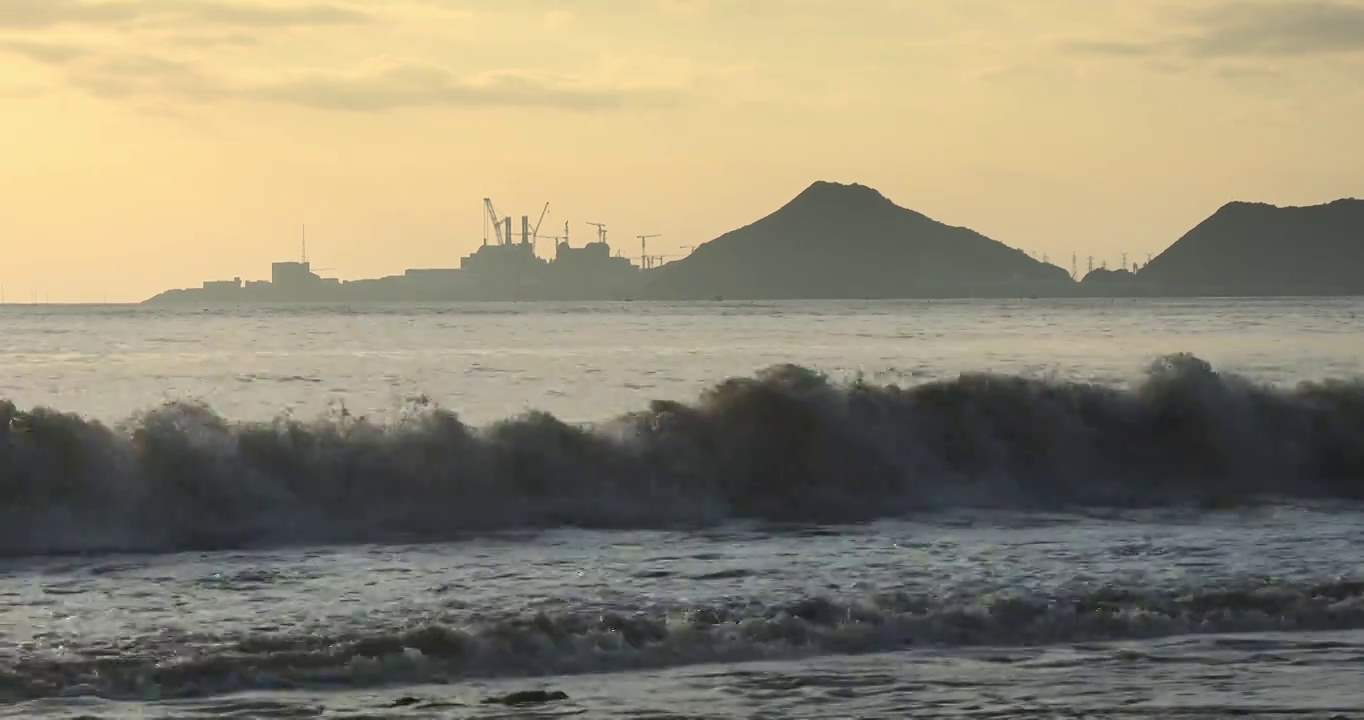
(1284, 29)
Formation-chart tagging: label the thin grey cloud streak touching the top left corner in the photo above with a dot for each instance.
(43, 14)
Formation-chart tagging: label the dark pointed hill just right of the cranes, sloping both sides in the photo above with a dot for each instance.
(835, 241)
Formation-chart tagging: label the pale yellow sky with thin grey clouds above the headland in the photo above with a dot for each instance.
(156, 144)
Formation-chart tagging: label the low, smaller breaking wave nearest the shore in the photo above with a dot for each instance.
(745, 631)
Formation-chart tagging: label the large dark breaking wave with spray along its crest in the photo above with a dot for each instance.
(786, 445)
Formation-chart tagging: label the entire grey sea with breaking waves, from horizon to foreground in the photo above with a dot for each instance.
(715, 511)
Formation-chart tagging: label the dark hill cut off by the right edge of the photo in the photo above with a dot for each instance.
(1258, 249)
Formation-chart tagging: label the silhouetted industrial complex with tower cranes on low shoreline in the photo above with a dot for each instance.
(505, 268)
